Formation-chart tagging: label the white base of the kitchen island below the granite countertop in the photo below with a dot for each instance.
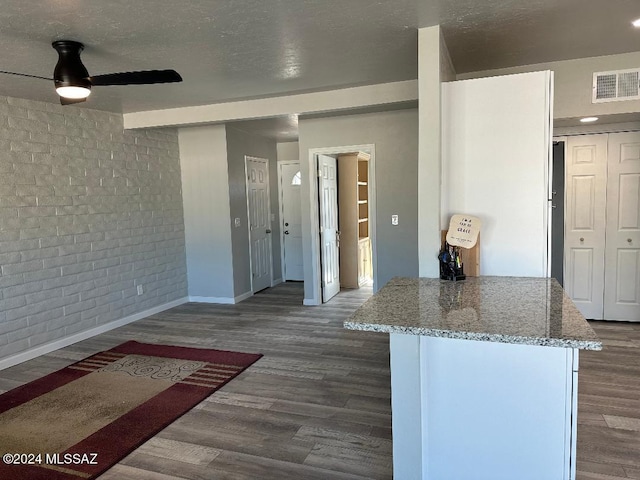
(476, 410)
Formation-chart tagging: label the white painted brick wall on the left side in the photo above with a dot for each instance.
(88, 211)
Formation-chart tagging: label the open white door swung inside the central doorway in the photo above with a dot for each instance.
(329, 253)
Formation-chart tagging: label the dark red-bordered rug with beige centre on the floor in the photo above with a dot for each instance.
(79, 421)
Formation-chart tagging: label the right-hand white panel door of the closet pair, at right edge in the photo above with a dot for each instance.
(622, 272)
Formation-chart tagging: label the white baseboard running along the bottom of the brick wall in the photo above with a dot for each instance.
(77, 337)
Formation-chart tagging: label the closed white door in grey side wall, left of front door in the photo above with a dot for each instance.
(259, 214)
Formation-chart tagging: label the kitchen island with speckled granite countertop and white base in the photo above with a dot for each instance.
(484, 376)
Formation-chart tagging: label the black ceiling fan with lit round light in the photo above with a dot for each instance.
(73, 82)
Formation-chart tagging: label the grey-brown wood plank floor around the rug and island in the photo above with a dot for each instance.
(317, 405)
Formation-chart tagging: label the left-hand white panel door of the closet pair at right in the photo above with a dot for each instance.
(586, 183)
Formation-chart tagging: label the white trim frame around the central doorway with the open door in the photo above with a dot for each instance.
(314, 216)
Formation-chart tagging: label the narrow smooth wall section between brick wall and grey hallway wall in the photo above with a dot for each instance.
(205, 192)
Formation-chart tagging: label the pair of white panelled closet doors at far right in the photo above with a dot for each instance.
(602, 231)
